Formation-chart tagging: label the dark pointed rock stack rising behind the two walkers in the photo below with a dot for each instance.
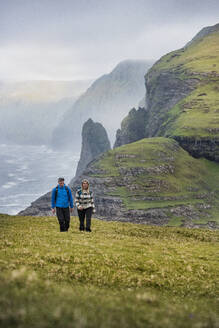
(94, 142)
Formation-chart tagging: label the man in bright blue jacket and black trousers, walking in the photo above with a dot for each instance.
(61, 200)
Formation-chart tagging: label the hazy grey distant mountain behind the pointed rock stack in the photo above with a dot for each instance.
(107, 101)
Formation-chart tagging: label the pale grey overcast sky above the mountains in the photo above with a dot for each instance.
(83, 39)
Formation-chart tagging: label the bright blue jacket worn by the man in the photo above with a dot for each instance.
(62, 197)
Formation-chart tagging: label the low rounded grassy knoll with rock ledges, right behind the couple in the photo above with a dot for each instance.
(166, 176)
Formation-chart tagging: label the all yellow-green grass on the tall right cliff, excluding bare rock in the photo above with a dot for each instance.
(197, 114)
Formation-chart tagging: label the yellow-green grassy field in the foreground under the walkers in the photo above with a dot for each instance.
(120, 275)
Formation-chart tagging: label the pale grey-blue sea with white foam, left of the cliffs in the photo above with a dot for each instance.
(27, 172)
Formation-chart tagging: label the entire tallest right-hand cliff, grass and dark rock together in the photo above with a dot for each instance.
(182, 95)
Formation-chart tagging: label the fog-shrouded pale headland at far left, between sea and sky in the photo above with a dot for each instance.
(30, 110)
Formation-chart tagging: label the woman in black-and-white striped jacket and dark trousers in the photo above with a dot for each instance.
(85, 205)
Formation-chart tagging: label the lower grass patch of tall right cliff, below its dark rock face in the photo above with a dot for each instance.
(197, 115)
